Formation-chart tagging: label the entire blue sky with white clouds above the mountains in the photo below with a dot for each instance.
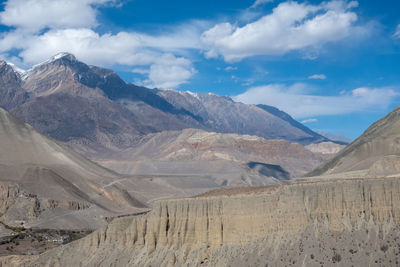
(333, 65)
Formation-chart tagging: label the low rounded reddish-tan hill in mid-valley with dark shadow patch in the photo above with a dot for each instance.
(226, 158)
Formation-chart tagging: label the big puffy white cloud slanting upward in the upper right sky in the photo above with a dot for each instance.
(291, 26)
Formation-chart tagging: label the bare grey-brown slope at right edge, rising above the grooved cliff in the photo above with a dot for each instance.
(375, 153)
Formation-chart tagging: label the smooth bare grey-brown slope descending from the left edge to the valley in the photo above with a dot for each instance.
(44, 183)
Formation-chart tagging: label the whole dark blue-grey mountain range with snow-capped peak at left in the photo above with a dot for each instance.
(94, 110)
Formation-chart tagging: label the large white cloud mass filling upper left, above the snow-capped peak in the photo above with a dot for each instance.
(43, 28)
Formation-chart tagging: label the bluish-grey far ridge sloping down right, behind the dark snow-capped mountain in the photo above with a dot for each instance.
(223, 115)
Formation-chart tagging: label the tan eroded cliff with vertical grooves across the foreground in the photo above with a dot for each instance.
(310, 223)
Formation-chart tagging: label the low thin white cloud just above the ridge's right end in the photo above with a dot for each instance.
(302, 104)
